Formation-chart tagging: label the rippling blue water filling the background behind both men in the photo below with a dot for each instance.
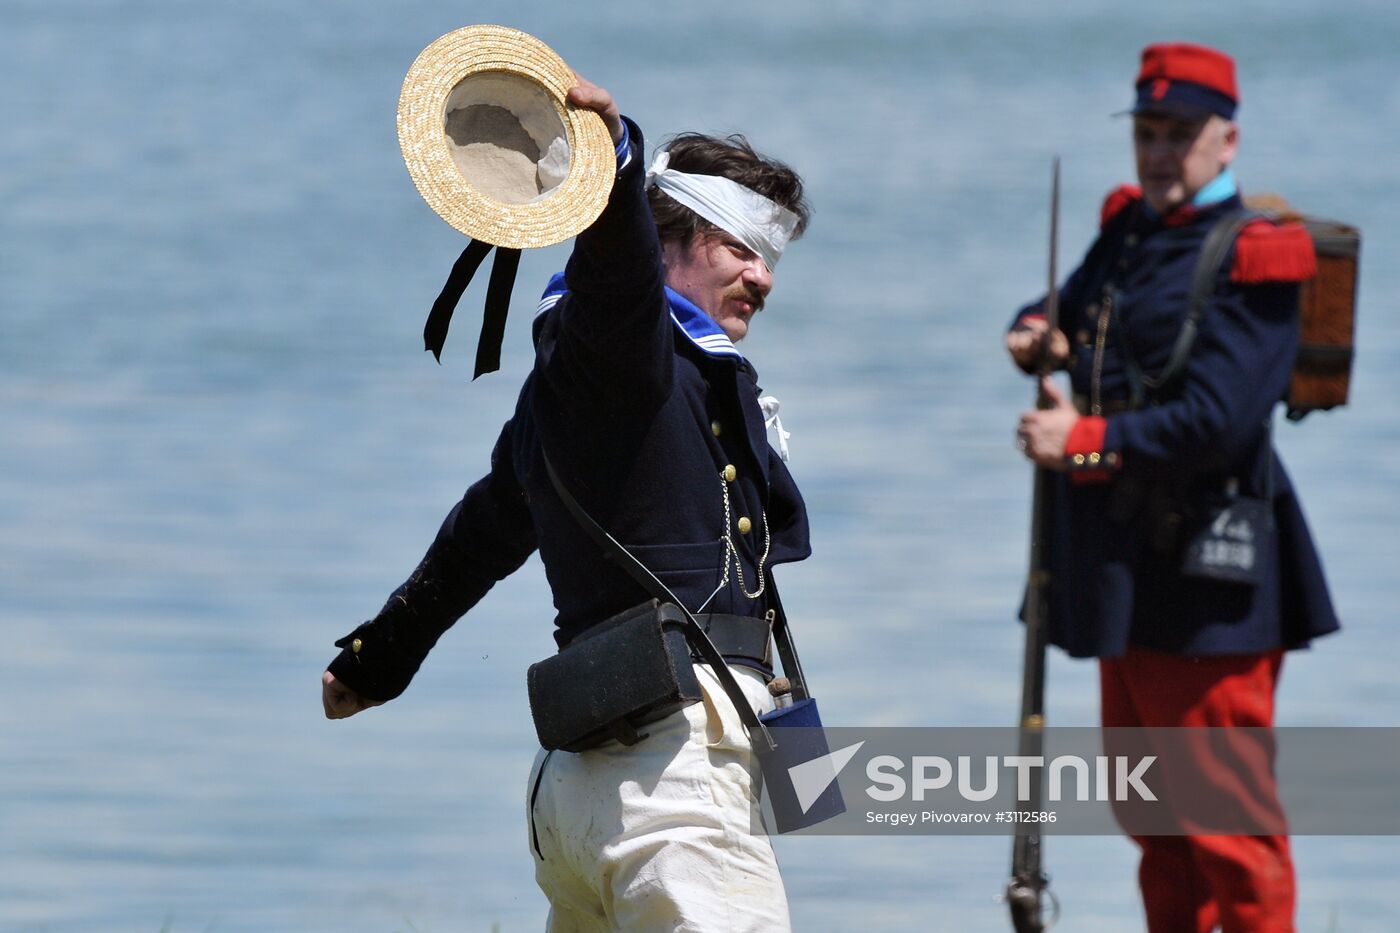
(222, 446)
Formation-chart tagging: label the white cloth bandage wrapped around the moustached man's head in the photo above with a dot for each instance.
(761, 225)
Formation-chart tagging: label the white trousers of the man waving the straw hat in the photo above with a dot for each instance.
(656, 837)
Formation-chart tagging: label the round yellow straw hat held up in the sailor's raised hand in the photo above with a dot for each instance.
(492, 145)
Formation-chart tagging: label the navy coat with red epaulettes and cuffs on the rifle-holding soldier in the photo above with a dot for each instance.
(1143, 476)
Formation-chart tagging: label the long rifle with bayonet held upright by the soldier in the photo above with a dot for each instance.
(1030, 887)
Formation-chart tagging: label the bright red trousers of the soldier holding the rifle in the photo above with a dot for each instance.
(1242, 885)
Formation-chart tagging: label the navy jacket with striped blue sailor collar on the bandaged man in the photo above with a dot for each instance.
(652, 420)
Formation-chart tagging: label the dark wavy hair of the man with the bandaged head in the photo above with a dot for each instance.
(737, 160)
